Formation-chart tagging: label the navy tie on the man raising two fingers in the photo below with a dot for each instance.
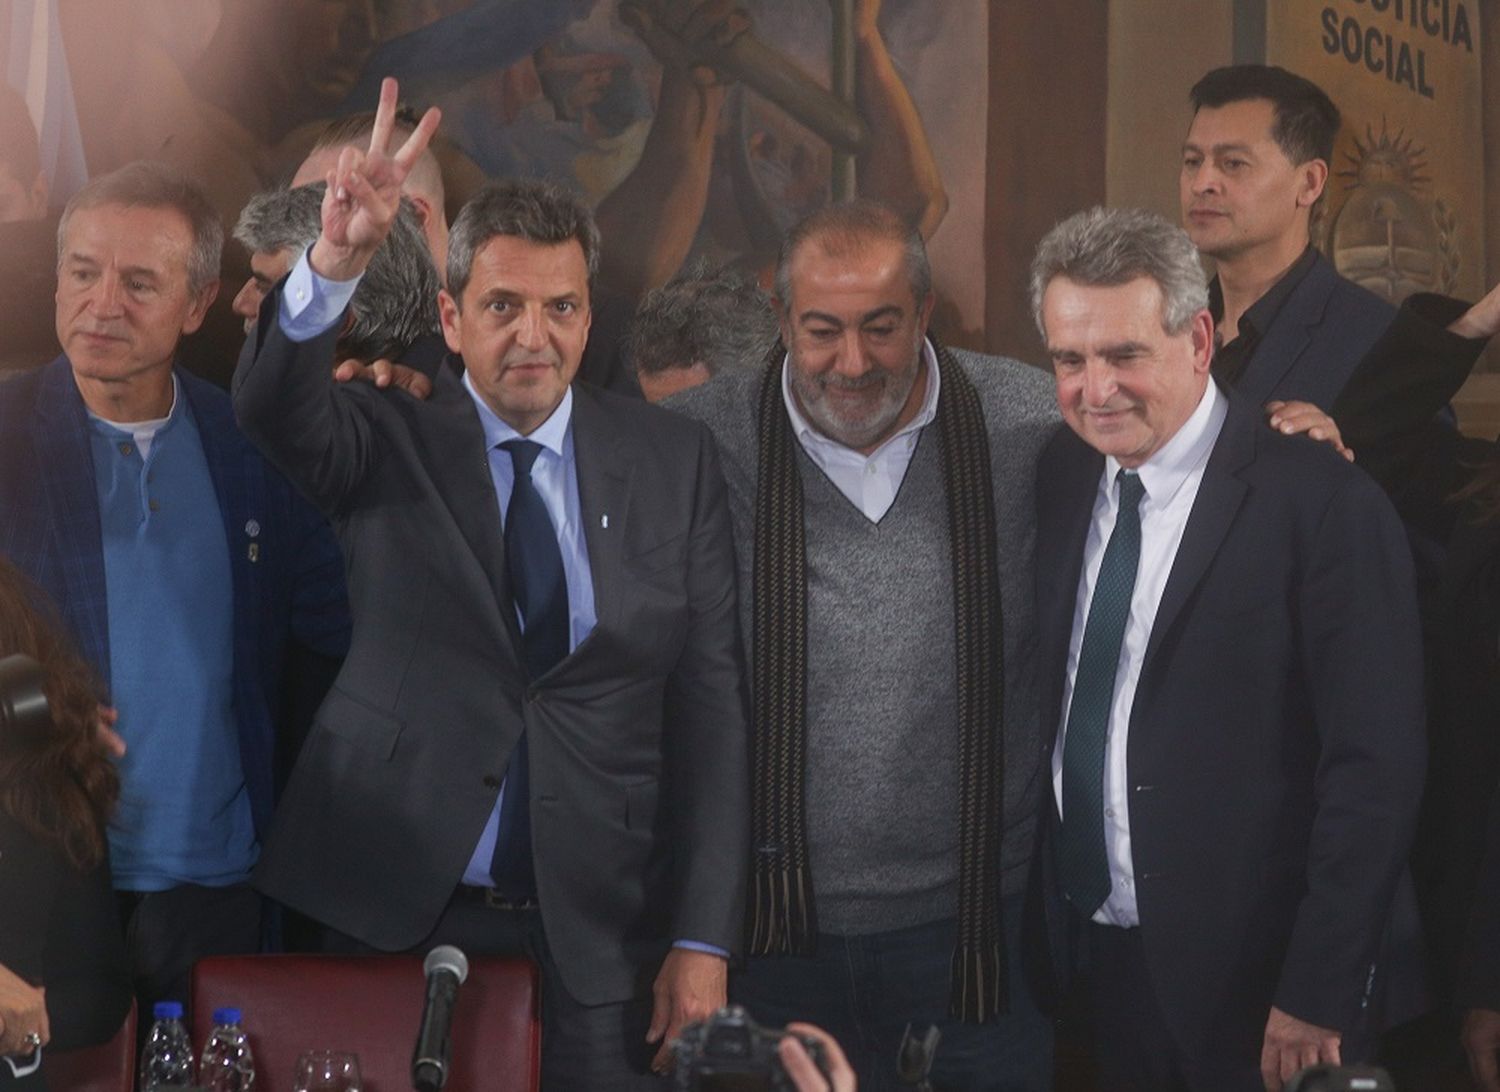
(541, 590)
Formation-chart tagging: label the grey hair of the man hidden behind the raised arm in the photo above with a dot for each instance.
(397, 301)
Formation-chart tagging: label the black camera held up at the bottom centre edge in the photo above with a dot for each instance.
(730, 1052)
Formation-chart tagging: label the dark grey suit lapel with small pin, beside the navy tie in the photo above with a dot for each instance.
(605, 464)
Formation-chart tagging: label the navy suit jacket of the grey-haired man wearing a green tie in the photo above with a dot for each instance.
(1276, 749)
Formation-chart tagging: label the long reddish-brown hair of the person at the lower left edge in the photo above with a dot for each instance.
(62, 790)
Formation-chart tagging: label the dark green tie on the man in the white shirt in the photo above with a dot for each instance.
(1082, 857)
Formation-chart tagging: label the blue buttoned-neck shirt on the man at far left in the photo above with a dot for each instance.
(185, 814)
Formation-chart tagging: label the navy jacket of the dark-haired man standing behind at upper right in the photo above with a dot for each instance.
(1316, 341)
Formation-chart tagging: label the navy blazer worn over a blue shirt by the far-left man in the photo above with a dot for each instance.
(292, 583)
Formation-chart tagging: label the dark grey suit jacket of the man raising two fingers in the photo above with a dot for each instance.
(638, 740)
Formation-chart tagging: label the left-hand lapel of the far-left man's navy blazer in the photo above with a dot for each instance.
(65, 467)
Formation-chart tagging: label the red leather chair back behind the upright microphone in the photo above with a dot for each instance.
(373, 1006)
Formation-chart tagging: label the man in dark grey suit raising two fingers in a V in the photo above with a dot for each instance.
(538, 743)
